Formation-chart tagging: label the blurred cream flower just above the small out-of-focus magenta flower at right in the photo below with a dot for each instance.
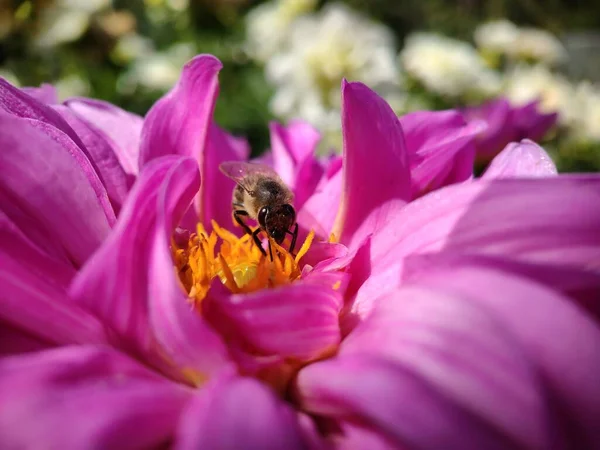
(554, 92)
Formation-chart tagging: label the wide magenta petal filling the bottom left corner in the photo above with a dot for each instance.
(84, 397)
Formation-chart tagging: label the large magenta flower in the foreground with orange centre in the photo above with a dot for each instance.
(466, 318)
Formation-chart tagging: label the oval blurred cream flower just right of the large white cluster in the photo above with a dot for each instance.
(448, 67)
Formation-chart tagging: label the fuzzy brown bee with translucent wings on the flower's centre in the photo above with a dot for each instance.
(261, 195)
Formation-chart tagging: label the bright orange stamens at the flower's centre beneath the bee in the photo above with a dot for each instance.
(236, 261)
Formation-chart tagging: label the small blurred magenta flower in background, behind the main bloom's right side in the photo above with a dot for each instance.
(506, 124)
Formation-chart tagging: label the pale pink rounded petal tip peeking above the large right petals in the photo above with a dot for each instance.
(524, 159)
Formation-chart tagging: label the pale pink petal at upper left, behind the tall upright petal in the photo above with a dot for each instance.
(121, 129)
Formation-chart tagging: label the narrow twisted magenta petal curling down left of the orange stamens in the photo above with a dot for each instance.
(183, 334)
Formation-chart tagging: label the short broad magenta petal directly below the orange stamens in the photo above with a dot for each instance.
(299, 321)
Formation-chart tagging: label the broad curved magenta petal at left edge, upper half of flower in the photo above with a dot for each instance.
(59, 194)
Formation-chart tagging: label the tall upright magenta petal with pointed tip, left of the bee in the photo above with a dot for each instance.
(178, 124)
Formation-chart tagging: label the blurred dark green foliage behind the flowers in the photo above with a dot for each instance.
(217, 27)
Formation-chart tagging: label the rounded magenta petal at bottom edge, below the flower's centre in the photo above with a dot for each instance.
(239, 413)
